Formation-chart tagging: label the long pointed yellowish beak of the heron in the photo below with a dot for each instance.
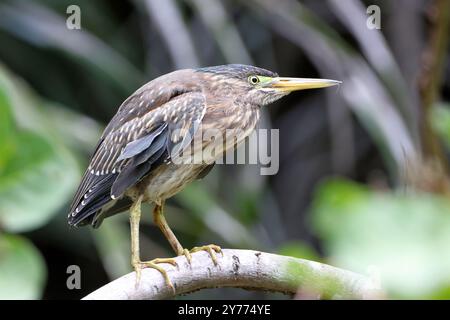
(294, 84)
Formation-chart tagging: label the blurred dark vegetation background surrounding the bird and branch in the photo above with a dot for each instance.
(363, 169)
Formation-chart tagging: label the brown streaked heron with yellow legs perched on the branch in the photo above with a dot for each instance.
(154, 145)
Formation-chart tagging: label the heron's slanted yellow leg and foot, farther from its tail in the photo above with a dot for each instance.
(161, 222)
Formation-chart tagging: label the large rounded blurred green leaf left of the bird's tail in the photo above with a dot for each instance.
(34, 183)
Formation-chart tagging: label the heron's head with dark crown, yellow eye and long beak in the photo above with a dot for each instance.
(256, 85)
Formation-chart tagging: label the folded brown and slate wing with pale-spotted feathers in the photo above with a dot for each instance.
(130, 150)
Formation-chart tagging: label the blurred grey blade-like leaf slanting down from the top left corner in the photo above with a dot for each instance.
(42, 27)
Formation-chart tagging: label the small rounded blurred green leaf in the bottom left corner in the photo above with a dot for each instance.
(22, 269)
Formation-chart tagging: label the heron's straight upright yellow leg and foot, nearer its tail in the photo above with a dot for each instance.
(135, 216)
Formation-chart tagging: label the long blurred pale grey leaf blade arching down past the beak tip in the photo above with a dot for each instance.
(362, 90)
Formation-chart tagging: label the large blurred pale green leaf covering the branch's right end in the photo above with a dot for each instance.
(402, 238)
